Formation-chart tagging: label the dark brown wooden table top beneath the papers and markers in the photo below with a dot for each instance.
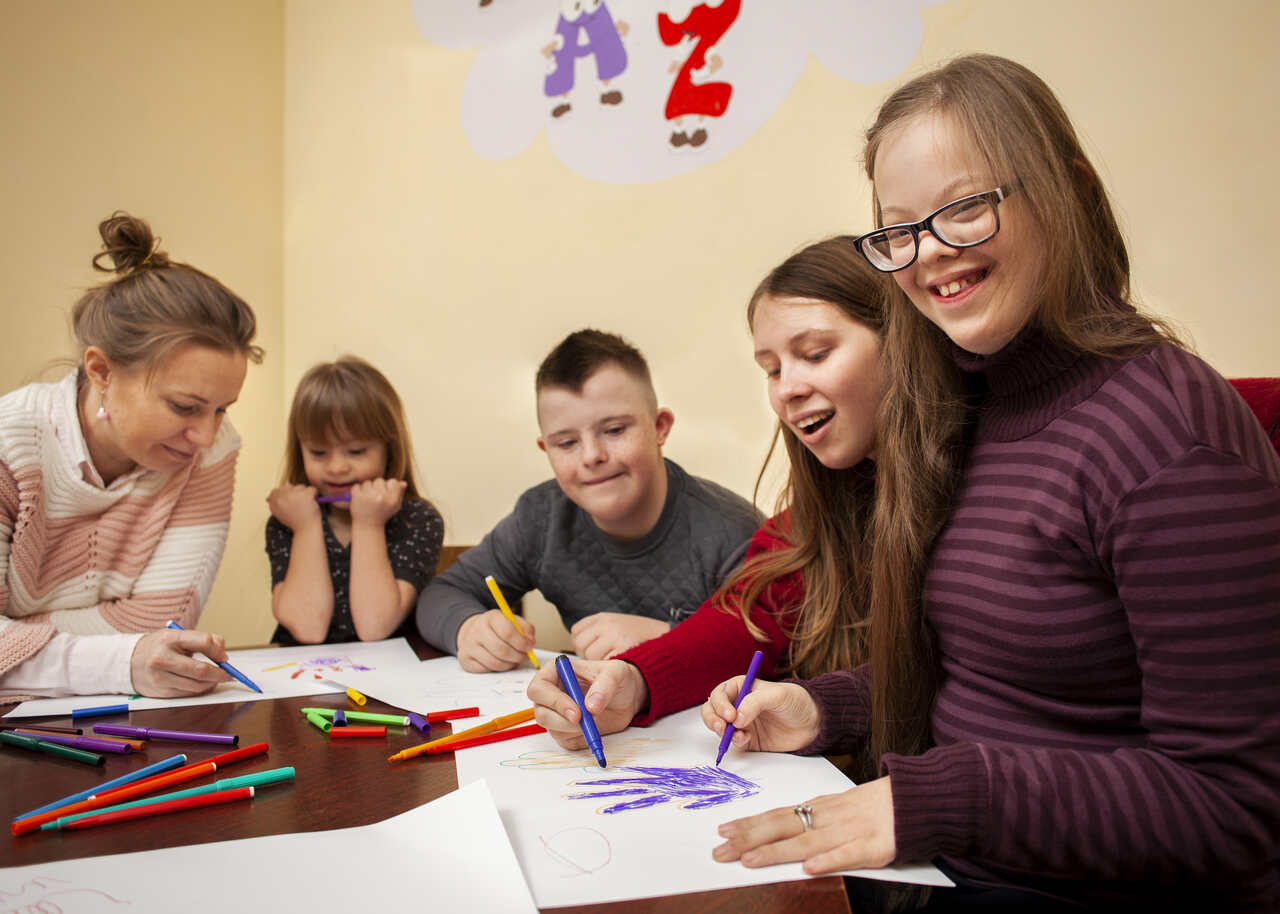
(339, 784)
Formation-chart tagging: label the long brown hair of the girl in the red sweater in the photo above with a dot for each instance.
(830, 531)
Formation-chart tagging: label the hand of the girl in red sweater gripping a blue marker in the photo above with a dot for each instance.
(615, 693)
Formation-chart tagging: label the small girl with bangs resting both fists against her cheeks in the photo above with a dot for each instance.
(351, 541)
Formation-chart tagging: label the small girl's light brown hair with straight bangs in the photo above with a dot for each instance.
(349, 399)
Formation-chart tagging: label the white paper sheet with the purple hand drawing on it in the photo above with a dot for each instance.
(580, 840)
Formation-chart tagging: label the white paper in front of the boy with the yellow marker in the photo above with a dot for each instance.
(444, 684)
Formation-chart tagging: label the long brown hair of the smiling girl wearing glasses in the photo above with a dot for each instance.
(1020, 130)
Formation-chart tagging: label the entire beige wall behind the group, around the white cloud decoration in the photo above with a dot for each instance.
(456, 275)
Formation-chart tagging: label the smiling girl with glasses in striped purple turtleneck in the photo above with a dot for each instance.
(1077, 589)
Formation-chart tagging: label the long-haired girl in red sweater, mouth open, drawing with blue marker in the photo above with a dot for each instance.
(802, 595)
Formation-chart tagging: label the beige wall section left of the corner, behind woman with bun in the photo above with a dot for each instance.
(173, 111)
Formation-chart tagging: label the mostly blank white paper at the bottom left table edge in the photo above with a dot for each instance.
(451, 854)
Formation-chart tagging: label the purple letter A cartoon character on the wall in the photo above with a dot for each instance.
(604, 40)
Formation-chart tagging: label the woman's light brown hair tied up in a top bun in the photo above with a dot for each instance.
(156, 305)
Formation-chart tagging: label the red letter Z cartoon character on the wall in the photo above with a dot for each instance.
(696, 35)
